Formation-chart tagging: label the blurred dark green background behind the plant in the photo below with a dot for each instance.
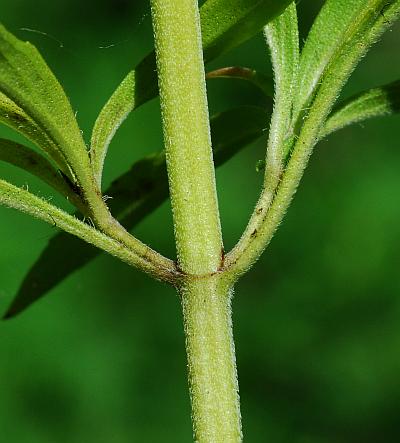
(317, 321)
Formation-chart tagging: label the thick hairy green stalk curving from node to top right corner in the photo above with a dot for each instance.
(368, 26)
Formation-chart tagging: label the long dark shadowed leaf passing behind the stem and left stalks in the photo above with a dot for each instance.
(134, 195)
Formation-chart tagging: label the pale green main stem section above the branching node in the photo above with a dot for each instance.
(187, 138)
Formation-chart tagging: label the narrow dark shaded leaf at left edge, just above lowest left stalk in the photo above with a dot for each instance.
(34, 163)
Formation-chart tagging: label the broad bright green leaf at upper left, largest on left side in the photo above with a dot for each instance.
(28, 83)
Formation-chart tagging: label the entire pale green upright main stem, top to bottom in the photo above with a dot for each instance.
(191, 175)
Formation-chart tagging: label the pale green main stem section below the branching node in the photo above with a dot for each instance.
(210, 348)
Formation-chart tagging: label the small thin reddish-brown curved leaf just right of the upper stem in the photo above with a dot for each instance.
(258, 79)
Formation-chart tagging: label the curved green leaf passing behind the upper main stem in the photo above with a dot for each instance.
(225, 24)
